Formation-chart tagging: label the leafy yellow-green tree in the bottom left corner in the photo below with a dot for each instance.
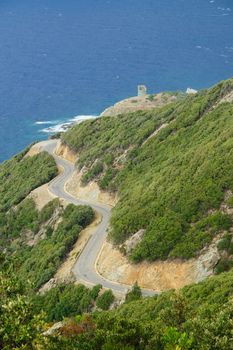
(20, 327)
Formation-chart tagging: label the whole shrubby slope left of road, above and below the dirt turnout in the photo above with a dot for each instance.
(36, 242)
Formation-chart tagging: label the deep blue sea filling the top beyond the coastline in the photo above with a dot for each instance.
(60, 59)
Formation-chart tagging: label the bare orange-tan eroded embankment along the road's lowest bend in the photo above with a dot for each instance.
(159, 275)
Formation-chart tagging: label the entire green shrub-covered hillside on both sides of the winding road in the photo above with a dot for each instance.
(176, 183)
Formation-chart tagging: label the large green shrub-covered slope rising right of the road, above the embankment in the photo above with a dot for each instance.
(173, 184)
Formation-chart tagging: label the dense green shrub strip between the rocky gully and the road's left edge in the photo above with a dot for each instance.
(40, 262)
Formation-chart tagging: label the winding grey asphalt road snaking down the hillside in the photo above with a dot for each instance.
(85, 268)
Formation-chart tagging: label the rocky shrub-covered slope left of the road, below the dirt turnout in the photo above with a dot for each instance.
(56, 229)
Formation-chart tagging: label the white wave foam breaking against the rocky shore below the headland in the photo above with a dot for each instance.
(62, 127)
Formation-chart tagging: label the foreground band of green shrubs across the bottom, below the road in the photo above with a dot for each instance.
(197, 317)
